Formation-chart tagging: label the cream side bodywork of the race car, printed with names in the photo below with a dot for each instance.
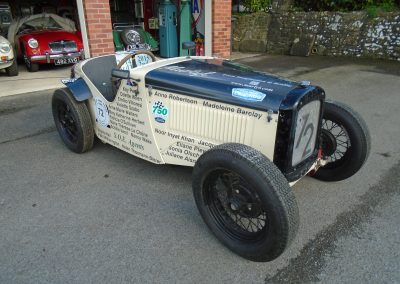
(164, 127)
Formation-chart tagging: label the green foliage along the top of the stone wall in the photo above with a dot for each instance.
(371, 6)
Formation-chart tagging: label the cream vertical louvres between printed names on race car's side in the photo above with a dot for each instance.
(209, 123)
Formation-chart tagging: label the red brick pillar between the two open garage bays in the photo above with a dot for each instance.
(99, 29)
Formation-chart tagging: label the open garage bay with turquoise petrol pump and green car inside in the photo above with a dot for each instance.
(160, 25)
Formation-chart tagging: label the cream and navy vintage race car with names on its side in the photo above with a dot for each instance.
(248, 135)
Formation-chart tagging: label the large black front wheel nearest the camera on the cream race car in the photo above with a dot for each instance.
(245, 201)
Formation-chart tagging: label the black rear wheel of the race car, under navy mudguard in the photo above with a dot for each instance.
(73, 121)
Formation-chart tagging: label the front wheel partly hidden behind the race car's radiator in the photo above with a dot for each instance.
(345, 142)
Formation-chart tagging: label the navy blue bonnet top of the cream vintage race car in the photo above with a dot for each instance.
(222, 81)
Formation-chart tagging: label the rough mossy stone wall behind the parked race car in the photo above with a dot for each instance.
(333, 33)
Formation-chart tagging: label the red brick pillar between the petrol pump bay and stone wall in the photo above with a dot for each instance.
(221, 28)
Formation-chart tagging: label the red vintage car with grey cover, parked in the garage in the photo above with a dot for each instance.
(46, 39)
